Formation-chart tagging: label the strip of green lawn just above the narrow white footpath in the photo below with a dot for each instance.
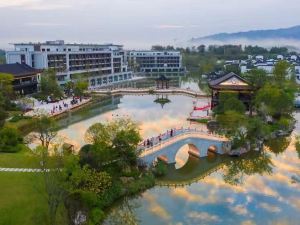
(22, 159)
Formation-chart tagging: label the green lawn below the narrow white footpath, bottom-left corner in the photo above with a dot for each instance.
(23, 199)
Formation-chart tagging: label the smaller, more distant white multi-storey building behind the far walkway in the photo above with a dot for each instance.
(156, 62)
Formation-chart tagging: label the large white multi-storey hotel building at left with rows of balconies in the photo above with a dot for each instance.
(104, 64)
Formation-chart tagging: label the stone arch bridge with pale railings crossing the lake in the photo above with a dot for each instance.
(200, 144)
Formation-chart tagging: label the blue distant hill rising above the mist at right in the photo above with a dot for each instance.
(292, 33)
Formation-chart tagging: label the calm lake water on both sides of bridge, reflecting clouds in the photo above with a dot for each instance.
(256, 189)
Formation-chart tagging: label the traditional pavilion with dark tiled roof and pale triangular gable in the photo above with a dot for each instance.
(231, 83)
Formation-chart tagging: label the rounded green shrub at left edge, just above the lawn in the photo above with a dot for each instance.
(10, 140)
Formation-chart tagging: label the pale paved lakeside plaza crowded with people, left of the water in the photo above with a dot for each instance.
(56, 108)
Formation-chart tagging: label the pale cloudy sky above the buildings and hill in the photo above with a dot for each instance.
(138, 23)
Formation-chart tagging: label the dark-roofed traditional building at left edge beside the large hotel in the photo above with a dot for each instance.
(26, 79)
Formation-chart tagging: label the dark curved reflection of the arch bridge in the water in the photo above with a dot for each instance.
(194, 170)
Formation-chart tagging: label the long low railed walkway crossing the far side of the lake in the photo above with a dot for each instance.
(150, 90)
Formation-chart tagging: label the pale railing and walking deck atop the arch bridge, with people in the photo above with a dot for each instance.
(178, 134)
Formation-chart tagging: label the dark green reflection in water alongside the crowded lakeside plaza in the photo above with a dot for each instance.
(94, 109)
